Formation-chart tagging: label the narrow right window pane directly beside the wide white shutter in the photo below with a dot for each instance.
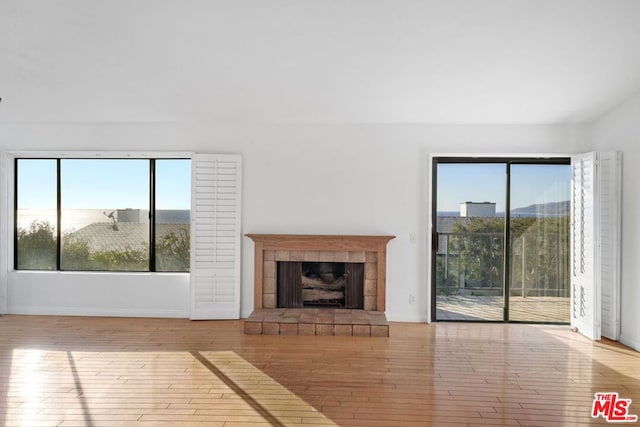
(173, 204)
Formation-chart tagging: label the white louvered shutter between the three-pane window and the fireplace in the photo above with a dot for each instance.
(215, 236)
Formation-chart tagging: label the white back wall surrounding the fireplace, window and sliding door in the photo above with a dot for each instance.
(346, 179)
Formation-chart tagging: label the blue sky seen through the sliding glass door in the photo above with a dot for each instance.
(530, 184)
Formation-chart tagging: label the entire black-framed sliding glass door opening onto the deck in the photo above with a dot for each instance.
(501, 239)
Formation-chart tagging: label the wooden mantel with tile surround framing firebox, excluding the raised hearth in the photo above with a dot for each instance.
(310, 247)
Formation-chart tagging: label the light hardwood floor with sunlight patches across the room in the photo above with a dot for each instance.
(74, 371)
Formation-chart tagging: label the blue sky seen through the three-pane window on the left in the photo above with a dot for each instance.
(103, 184)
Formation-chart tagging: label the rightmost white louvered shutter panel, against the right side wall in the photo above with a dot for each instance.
(609, 187)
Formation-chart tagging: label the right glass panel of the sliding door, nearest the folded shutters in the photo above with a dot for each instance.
(539, 243)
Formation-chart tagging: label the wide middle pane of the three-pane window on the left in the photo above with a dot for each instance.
(105, 214)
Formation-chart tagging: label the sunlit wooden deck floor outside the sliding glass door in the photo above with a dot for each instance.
(478, 308)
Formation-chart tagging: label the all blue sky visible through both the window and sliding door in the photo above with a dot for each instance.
(121, 184)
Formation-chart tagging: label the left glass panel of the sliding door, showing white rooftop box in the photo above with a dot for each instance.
(470, 227)
